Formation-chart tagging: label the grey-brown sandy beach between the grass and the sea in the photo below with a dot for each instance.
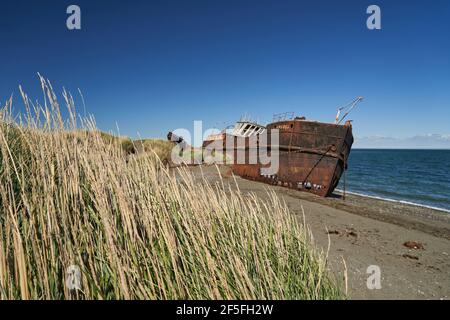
(364, 231)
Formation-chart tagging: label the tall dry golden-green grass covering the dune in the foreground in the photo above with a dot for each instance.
(68, 196)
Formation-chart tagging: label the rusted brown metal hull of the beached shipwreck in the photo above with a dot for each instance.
(312, 155)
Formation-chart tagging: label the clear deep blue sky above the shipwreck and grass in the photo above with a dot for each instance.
(153, 66)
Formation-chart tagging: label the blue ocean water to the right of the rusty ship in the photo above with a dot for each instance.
(415, 176)
